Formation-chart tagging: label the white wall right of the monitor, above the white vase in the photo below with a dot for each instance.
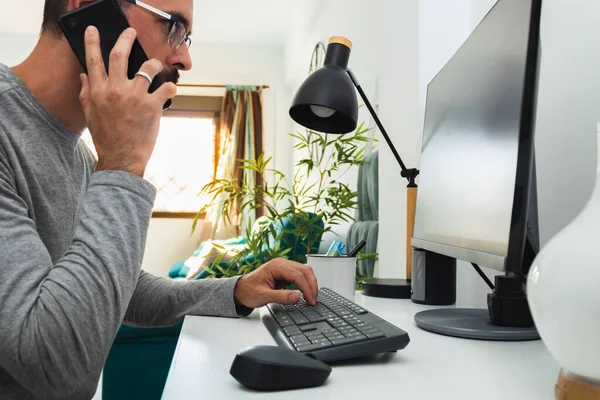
(568, 110)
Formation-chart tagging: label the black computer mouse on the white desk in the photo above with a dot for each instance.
(277, 368)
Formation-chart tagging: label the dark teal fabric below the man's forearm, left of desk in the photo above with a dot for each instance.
(138, 363)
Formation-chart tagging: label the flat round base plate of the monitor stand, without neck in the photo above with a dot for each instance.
(470, 323)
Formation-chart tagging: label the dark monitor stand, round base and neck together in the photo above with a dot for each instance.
(507, 318)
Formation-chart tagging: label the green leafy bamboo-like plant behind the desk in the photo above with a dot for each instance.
(297, 212)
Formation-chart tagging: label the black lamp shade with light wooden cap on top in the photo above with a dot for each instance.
(327, 101)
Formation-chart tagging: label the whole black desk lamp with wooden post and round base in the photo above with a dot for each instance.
(326, 102)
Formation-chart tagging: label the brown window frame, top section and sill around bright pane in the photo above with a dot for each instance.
(195, 107)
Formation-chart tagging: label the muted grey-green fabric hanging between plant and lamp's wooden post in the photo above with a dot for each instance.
(366, 225)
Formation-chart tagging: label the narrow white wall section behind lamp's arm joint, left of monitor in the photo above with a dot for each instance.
(397, 65)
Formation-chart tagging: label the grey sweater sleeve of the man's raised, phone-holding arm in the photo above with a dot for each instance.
(58, 320)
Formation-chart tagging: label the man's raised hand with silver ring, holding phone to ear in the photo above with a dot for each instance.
(123, 118)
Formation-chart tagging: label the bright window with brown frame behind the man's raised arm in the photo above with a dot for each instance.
(183, 158)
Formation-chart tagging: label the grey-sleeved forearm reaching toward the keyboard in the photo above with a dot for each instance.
(163, 302)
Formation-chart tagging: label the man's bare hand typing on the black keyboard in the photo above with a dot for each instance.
(260, 287)
